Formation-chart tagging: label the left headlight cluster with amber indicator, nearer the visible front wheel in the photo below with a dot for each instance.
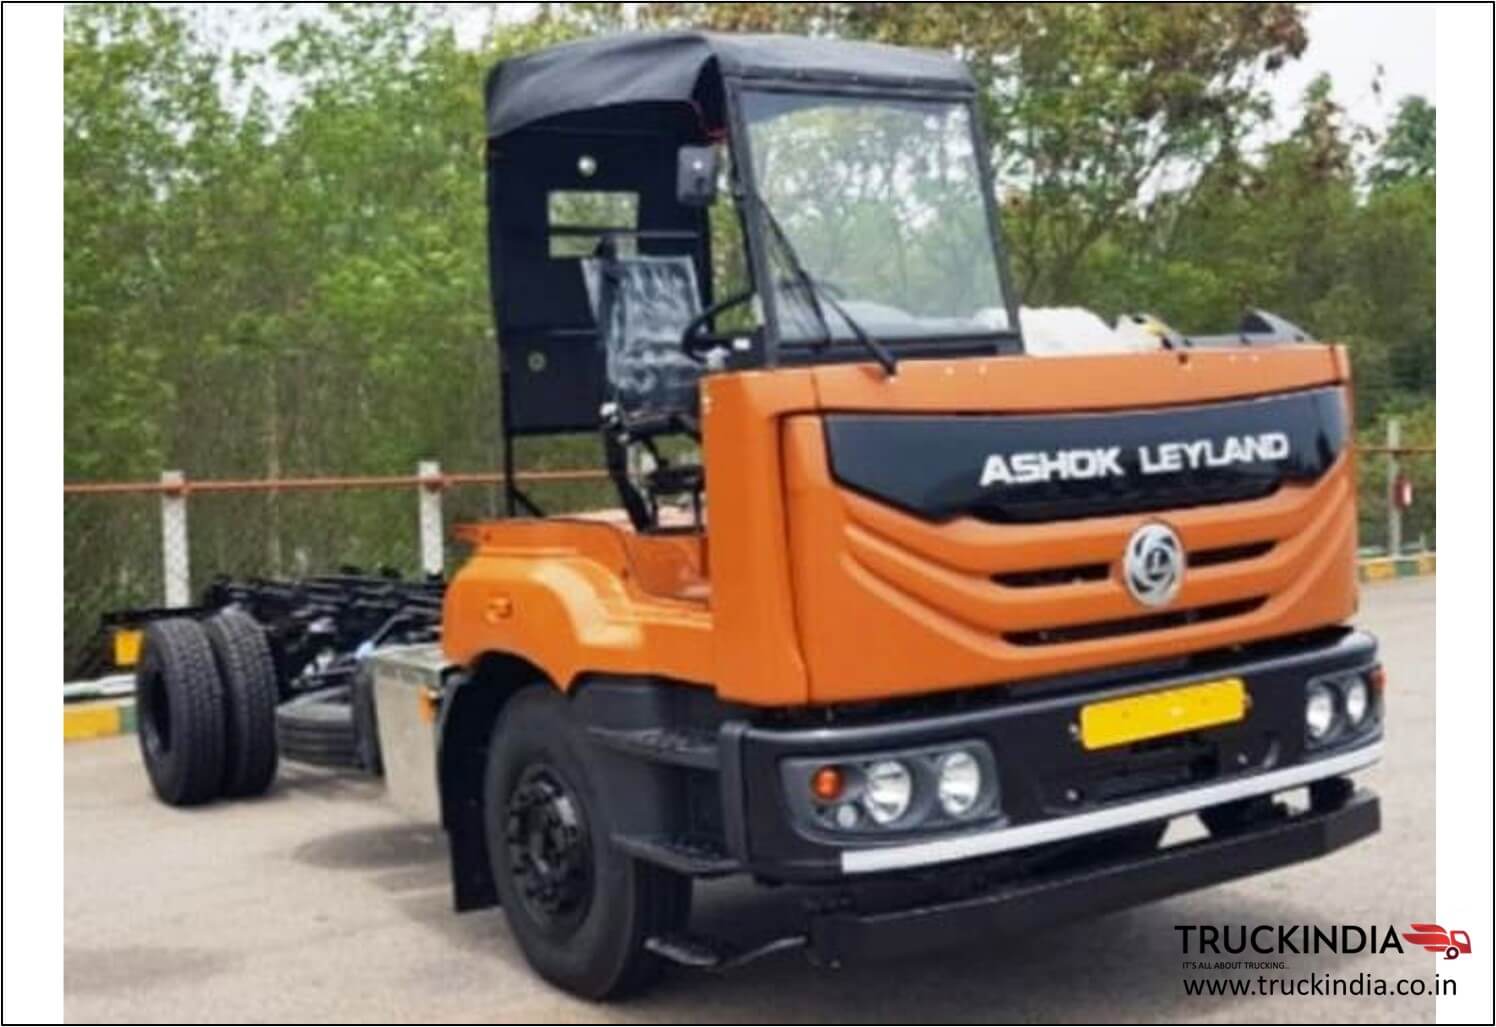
(900, 791)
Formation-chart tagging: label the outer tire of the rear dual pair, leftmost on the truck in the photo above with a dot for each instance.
(179, 703)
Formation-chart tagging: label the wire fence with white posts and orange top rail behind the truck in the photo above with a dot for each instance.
(143, 546)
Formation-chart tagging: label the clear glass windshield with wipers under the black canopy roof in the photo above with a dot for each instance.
(882, 204)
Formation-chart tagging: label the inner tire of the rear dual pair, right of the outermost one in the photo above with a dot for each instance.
(248, 671)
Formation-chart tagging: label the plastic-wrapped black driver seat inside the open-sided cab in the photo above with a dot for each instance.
(643, 305)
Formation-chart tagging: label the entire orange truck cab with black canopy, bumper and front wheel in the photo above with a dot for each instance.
(892, 606)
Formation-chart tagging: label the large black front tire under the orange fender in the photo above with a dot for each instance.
(580, 908)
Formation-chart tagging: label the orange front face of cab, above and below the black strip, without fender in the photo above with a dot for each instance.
(891, 604)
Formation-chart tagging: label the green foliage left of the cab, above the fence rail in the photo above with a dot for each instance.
(258, 294)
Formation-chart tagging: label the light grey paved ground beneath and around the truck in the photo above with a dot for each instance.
(319, 903)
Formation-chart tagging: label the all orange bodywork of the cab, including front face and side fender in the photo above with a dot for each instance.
(807, 591)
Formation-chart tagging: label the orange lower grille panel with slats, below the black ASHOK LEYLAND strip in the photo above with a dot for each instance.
(892, 606)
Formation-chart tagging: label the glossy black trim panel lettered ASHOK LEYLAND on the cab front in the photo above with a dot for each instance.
(937, 468)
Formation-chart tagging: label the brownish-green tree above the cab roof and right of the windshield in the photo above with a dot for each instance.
(1088, 107)
